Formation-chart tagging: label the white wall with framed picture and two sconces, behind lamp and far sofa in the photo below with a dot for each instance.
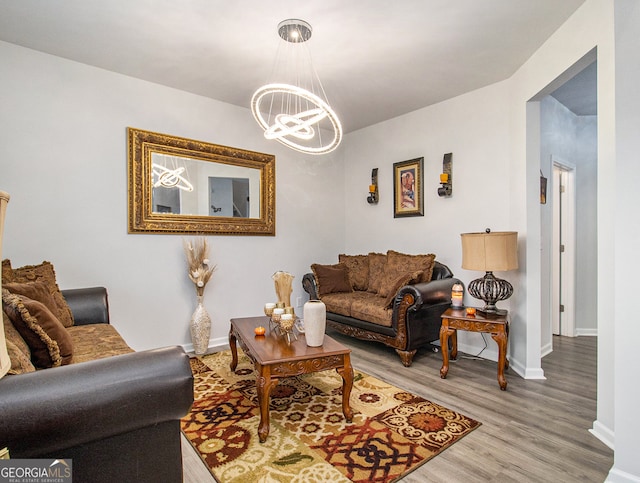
(474, 128)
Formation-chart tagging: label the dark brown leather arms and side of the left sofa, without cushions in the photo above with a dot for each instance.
(116, 418)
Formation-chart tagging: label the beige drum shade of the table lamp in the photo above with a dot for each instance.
(490, 252)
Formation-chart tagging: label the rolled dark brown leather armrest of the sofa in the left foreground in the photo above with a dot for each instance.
(49, 410)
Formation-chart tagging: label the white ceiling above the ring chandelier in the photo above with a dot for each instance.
(377, 59)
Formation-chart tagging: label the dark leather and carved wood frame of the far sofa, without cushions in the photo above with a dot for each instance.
(415, 320)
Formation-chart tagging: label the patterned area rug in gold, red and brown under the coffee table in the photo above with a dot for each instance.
(392, 433)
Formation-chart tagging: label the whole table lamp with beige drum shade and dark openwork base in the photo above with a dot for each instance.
(490, 252)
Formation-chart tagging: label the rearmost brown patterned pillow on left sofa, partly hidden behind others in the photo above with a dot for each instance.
(40, 273)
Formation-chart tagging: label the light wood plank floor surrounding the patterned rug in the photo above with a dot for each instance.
(535, 431)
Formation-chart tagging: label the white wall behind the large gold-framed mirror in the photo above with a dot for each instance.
(63, 159)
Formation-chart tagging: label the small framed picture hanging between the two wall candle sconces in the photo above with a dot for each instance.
(408, 197)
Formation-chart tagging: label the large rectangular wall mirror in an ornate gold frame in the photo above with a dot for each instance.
(154, 158)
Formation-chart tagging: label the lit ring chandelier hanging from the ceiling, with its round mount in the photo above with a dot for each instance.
(296, 111)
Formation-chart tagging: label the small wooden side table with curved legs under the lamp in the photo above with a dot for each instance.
(457, 319)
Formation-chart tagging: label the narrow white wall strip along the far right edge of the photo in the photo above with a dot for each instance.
(626, 199)
